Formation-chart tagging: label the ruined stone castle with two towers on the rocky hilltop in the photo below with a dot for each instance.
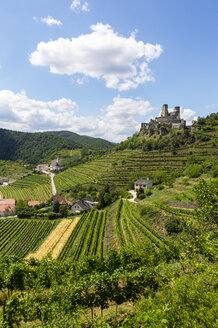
(166, 122)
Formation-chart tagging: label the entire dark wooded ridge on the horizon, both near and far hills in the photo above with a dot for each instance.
(41, 146)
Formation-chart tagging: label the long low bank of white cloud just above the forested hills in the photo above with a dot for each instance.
(116, 123)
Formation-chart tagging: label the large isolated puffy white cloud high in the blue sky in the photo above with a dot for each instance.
(122, 62)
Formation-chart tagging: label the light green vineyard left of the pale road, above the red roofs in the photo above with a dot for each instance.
(33, 187)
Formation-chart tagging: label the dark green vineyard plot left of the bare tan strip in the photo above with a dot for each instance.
(19, 237)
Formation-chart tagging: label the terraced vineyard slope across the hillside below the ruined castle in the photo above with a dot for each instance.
(124, 166)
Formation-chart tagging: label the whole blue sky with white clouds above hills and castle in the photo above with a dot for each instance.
(101, 67)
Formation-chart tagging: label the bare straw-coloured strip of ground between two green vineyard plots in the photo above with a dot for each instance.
(56, 240)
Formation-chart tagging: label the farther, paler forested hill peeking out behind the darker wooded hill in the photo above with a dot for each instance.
(85, 141)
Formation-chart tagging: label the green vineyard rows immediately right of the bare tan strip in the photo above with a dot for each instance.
(88, 236)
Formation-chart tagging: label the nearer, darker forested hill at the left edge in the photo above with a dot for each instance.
(31, 147)
